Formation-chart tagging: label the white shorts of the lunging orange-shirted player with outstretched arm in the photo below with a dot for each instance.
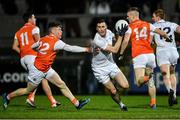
(35, 76)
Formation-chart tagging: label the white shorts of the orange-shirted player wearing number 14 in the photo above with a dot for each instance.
(144, 60)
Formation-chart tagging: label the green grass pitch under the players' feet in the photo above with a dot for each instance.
(99, 107)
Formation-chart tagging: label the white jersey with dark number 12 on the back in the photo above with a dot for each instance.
(169, 28)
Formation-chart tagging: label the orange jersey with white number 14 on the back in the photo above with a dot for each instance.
(140, 38)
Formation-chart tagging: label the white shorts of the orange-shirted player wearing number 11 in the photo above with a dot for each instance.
(27, 61)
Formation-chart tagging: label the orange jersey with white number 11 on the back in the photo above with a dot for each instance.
(25, 39)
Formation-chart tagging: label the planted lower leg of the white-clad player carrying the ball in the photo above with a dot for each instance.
(114, 94)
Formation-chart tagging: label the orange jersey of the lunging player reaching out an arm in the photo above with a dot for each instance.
(46, 54)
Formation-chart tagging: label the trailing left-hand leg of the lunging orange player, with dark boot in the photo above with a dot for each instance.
(19, 92)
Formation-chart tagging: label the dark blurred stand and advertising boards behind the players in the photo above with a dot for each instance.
(78, 20)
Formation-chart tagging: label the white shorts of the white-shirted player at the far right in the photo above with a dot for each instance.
(168, 56)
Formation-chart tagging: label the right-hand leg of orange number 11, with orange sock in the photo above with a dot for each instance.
(48, 92)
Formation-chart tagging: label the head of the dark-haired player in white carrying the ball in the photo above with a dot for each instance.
(101, 28)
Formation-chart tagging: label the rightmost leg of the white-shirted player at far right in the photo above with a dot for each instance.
(173, 82)
